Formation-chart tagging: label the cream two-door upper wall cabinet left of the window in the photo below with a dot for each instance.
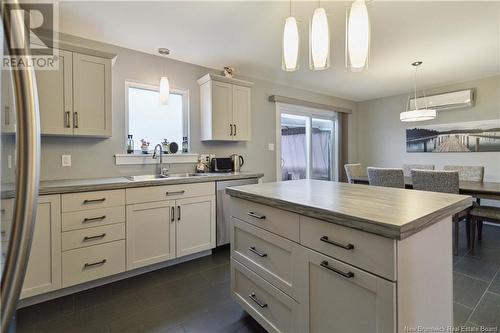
(75, 100)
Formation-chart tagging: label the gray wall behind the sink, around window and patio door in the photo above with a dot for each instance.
(94, 157)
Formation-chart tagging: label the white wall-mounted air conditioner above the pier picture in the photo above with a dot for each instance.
(450, 100)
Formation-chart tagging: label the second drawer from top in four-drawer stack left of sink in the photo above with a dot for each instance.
(92, 218)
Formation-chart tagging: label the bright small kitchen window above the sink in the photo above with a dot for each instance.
(148, 120)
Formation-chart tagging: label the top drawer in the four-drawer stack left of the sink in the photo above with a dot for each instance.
(92, 200)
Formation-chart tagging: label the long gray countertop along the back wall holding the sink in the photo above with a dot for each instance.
(99, 184)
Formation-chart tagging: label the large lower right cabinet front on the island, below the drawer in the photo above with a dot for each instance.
(337, 297)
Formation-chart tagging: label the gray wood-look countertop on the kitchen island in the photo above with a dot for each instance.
(389, 212)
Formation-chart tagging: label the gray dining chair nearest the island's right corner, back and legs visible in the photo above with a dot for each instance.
(443, 182)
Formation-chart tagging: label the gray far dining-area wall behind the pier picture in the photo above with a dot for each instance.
(381, 135)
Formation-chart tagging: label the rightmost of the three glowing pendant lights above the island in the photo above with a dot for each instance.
(357, 37)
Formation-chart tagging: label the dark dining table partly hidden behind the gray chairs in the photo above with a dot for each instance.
(480, 190)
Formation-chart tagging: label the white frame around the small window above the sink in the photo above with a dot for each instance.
(156, 87)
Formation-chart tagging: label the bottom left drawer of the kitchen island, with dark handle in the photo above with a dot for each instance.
(274, 310)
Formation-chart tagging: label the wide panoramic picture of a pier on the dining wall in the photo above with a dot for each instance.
(472, 136)
